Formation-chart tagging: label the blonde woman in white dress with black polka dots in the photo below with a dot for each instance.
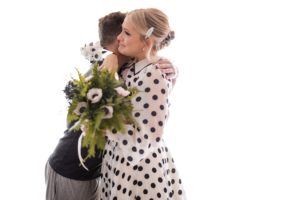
(138, 165)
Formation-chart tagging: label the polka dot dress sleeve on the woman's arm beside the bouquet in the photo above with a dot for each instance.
(151, 112)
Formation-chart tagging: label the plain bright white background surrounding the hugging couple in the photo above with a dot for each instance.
(234, 125)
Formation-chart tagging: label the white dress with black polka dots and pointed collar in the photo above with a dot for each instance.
(138, 165)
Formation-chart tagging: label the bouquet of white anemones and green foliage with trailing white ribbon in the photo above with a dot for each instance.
(98, 103)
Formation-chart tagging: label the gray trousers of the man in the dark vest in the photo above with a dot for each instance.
(62, 188)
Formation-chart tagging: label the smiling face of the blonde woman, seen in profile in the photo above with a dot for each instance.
(130, 43)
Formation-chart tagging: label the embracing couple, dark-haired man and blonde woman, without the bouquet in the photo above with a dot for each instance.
(135, 165)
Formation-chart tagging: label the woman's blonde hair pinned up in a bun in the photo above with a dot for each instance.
(144, 19)
